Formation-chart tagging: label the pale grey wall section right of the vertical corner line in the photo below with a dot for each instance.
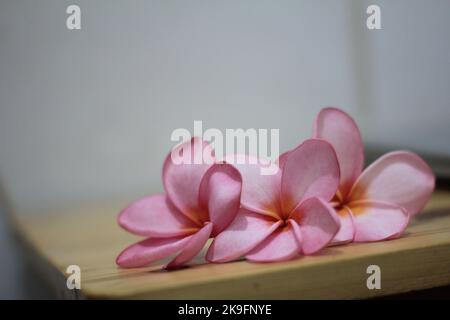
(409, 83)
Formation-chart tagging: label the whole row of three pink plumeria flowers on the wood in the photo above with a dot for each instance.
(320, 196)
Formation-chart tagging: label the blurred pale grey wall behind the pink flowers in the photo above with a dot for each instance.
(86, 115)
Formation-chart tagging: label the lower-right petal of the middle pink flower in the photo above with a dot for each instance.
(318, 223)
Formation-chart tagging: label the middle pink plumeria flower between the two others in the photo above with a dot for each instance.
(283, 214)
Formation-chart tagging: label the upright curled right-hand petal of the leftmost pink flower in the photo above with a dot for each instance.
(220, 193)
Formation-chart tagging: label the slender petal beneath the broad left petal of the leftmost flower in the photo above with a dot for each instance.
(149, 250)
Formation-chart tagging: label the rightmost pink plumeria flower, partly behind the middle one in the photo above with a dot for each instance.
(377, 203)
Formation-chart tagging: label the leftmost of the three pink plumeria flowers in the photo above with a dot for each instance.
(200, 201)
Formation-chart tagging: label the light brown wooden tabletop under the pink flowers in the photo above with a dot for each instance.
(90, 238)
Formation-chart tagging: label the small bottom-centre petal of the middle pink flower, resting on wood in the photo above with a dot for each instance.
(281, 245)
